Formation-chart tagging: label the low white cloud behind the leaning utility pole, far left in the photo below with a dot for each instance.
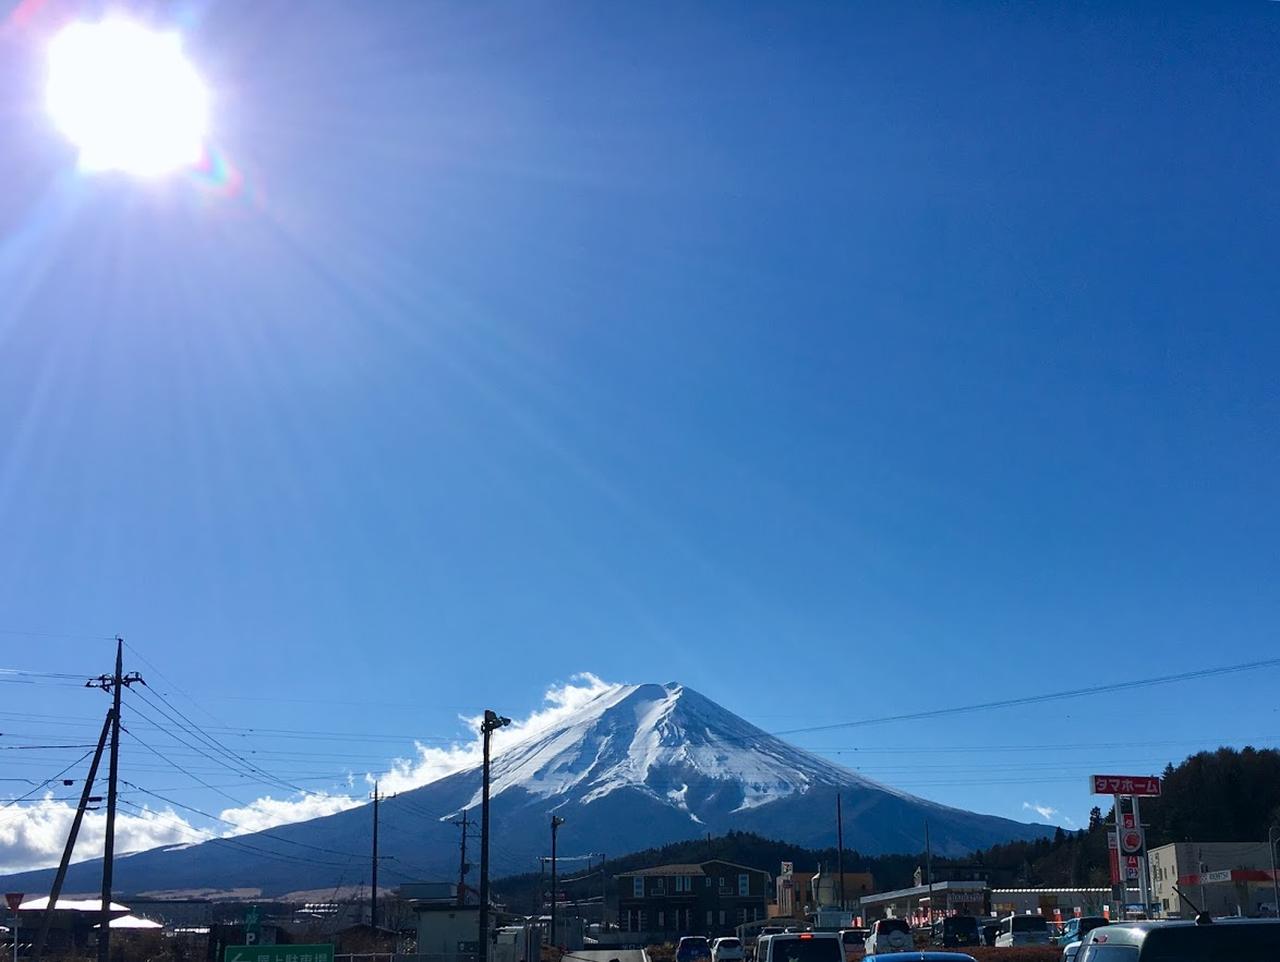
(33, 836)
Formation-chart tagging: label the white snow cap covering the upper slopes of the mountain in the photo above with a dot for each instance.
(670, 743)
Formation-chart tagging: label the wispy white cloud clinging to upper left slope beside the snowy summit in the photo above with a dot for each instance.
(432, 763)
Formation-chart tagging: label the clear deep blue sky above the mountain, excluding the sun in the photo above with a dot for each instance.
(835, 360)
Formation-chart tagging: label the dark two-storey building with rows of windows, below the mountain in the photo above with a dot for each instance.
(710, 899)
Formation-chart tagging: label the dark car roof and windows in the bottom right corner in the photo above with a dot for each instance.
(1226, 941)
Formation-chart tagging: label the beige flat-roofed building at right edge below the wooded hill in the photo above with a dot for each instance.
(1224, 878)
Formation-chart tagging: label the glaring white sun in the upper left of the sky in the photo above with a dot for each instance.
(127, 98)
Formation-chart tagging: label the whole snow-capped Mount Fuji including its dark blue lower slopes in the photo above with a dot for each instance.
(637, 767)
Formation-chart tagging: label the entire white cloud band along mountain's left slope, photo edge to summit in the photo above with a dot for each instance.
(33, 836)
